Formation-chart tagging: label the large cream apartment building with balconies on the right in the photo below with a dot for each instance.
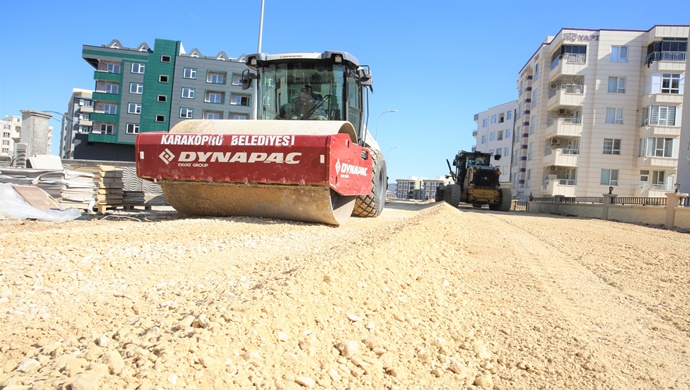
(600, 108)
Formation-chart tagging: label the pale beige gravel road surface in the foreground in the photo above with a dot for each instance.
(426, 296)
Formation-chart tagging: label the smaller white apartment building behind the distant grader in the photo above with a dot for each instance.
(494, 135)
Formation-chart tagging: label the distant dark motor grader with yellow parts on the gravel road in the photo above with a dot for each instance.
(475, 181)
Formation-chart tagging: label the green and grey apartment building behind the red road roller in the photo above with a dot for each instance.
(152, 89)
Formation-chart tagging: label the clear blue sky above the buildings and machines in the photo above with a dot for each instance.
(438, 63)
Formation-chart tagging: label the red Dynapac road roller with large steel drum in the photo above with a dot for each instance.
(307, 156)
